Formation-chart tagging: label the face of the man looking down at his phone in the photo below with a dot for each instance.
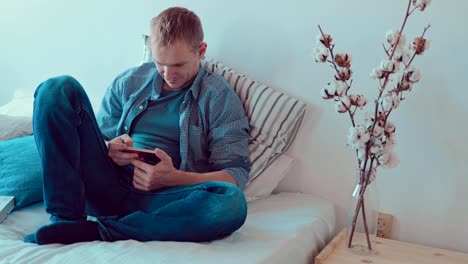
(178, 64)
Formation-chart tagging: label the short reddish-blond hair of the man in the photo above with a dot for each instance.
(175, 24)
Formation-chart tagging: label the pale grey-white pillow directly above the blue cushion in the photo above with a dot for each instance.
(14, 126)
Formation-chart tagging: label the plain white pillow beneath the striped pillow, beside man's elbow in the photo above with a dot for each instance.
(262, 187)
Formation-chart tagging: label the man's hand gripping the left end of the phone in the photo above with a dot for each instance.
(116, 150)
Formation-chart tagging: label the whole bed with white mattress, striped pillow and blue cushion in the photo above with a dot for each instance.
(284, 227)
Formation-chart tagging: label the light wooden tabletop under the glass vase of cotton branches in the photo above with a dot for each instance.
(388, 252)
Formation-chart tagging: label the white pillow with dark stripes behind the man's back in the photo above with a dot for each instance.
(274, 117)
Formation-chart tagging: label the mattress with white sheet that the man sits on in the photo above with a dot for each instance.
(283, 228)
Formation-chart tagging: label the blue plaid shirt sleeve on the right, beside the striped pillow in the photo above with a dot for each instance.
(229, 136)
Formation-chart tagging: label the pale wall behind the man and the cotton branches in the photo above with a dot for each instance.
(272, 42)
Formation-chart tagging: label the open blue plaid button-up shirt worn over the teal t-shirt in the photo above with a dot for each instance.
(214, 129)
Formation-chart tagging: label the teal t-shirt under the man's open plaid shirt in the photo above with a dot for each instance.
(158, 125)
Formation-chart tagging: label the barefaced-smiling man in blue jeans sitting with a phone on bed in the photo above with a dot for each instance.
(192, 119)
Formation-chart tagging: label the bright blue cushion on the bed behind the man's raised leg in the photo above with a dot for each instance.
(20, 171)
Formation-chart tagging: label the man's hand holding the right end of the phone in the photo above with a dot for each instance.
(149, 177)
